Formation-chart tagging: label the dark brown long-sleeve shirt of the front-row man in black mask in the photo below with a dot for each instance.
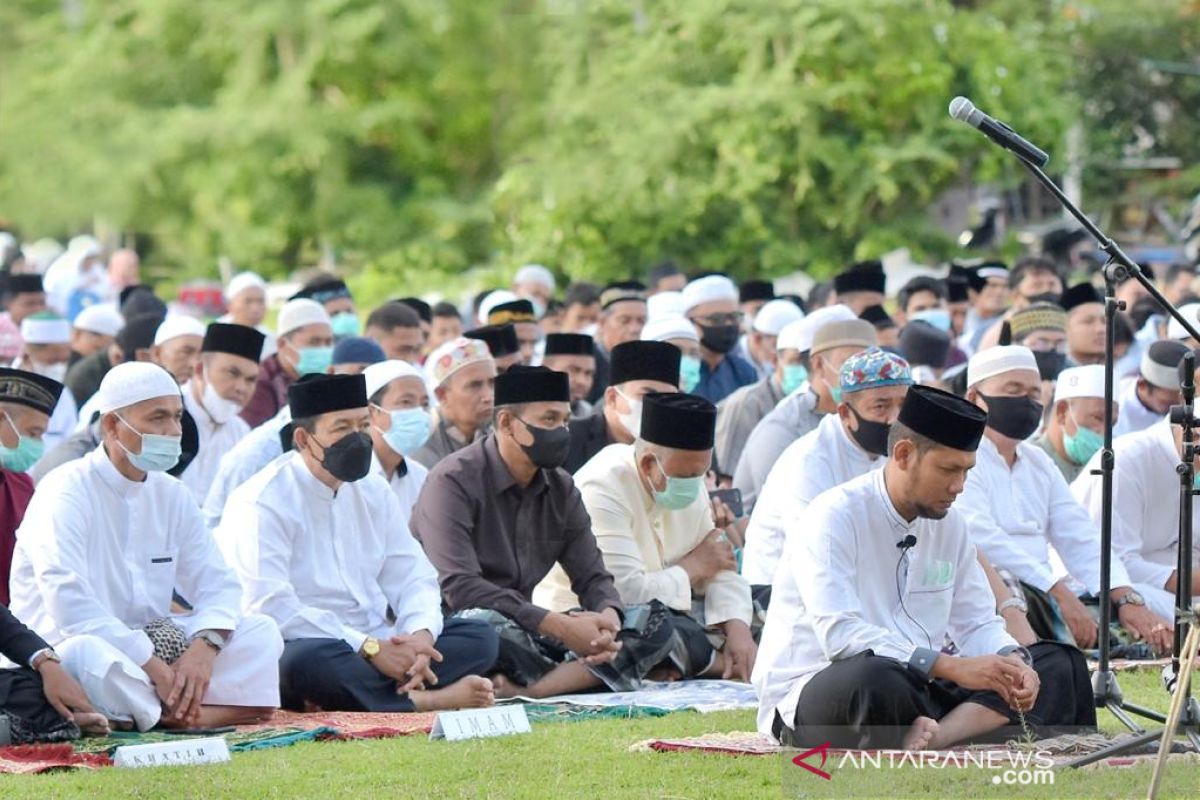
(493, 542)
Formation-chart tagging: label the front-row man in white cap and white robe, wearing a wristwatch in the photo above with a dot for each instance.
(106, 542)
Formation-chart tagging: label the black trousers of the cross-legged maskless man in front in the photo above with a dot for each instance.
(871, 702)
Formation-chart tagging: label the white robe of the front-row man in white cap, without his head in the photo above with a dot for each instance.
(98, 558)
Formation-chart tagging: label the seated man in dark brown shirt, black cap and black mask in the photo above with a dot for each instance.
(496, 516)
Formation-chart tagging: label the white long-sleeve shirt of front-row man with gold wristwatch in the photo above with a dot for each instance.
(326, 564)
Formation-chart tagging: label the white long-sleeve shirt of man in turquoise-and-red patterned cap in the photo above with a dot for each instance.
(817, 462)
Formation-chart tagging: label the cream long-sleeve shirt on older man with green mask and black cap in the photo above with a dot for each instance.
(643, 544)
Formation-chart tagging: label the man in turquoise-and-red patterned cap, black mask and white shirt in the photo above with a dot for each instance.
(844, 446)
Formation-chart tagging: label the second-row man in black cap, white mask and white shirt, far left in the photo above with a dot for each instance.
(220, 388)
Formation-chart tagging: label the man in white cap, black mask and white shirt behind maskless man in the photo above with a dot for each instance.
(1017, 506)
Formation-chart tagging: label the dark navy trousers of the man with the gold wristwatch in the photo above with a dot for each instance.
(332, 676)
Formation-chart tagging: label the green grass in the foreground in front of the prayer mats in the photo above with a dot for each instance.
(580, 760)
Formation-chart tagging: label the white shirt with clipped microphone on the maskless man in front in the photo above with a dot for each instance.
(836, 594)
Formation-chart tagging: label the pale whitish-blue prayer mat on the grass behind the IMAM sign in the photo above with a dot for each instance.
(704, 696)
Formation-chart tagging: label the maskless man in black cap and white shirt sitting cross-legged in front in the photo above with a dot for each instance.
(851, 649)
